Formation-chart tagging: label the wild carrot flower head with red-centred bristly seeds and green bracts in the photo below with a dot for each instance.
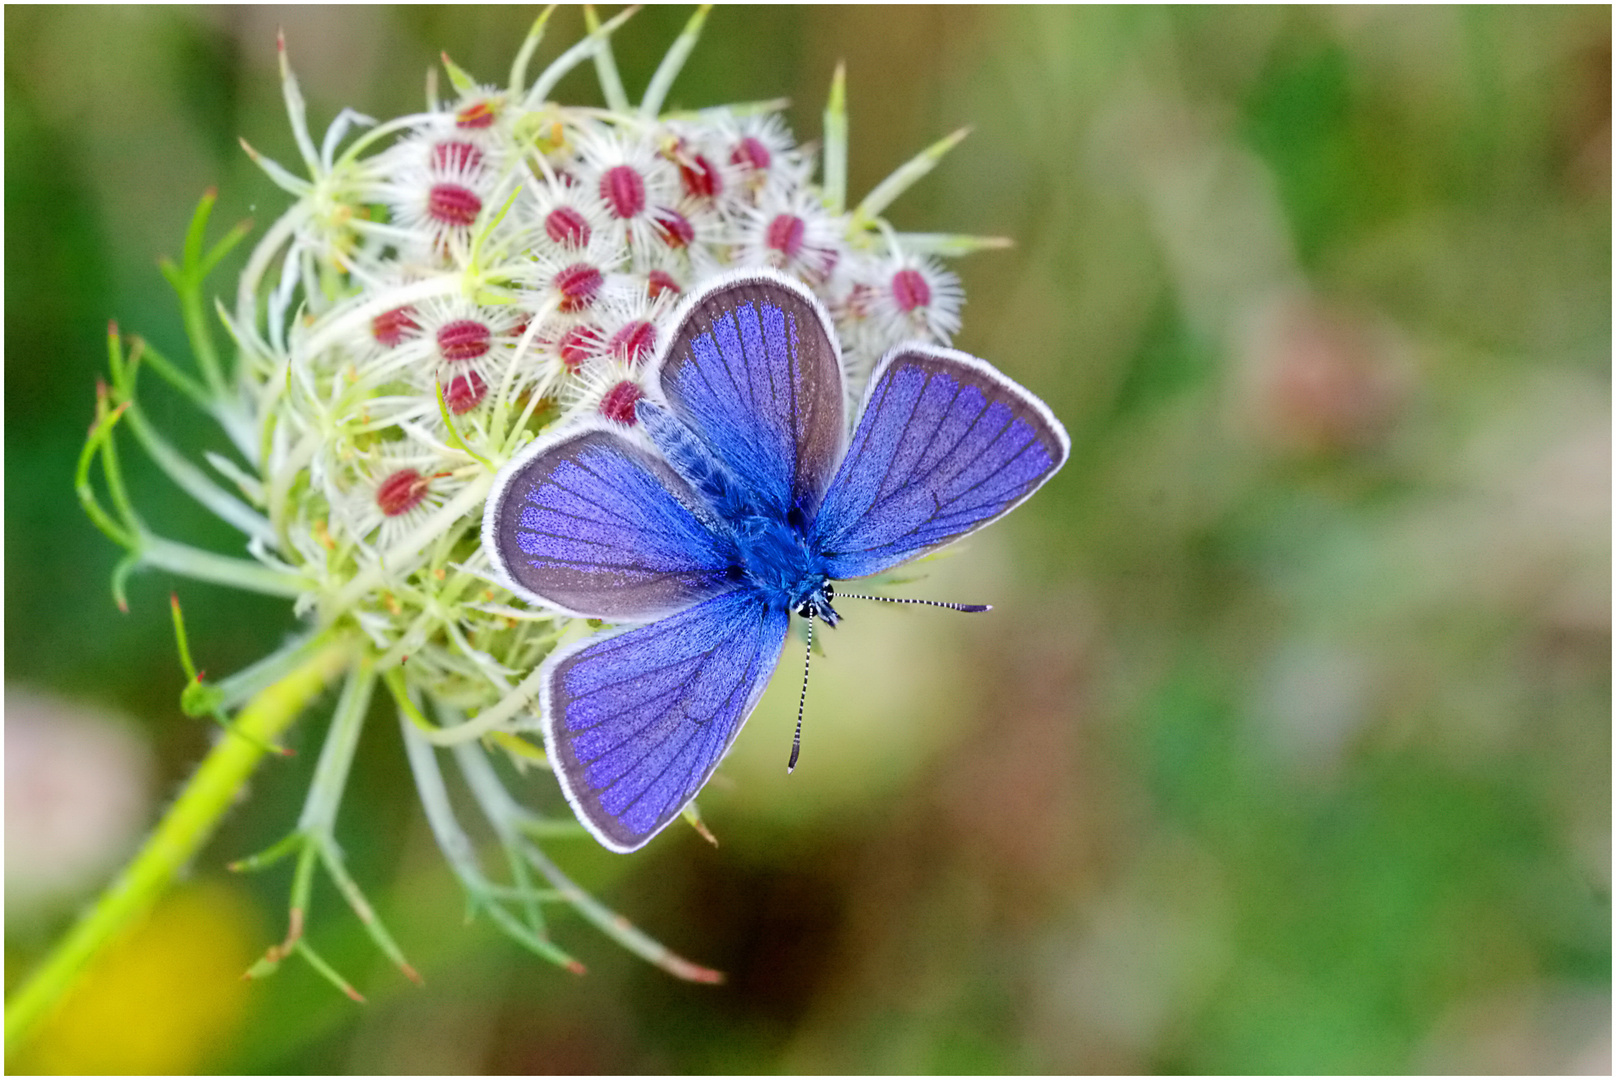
(444, 289)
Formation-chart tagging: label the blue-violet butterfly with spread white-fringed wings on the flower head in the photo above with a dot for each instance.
(738, 502)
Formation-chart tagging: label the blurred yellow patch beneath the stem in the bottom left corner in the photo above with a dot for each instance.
(164, 1000)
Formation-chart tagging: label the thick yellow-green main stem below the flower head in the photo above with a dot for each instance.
(190, 822)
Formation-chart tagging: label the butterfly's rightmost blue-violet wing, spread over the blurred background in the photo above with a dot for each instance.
(945, 445)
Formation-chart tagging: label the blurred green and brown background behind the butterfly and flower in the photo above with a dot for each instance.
(1287, 746)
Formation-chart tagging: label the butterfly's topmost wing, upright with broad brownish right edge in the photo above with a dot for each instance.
(754, 369)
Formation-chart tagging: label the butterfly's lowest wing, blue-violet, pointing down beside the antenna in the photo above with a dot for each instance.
(638, 722)
